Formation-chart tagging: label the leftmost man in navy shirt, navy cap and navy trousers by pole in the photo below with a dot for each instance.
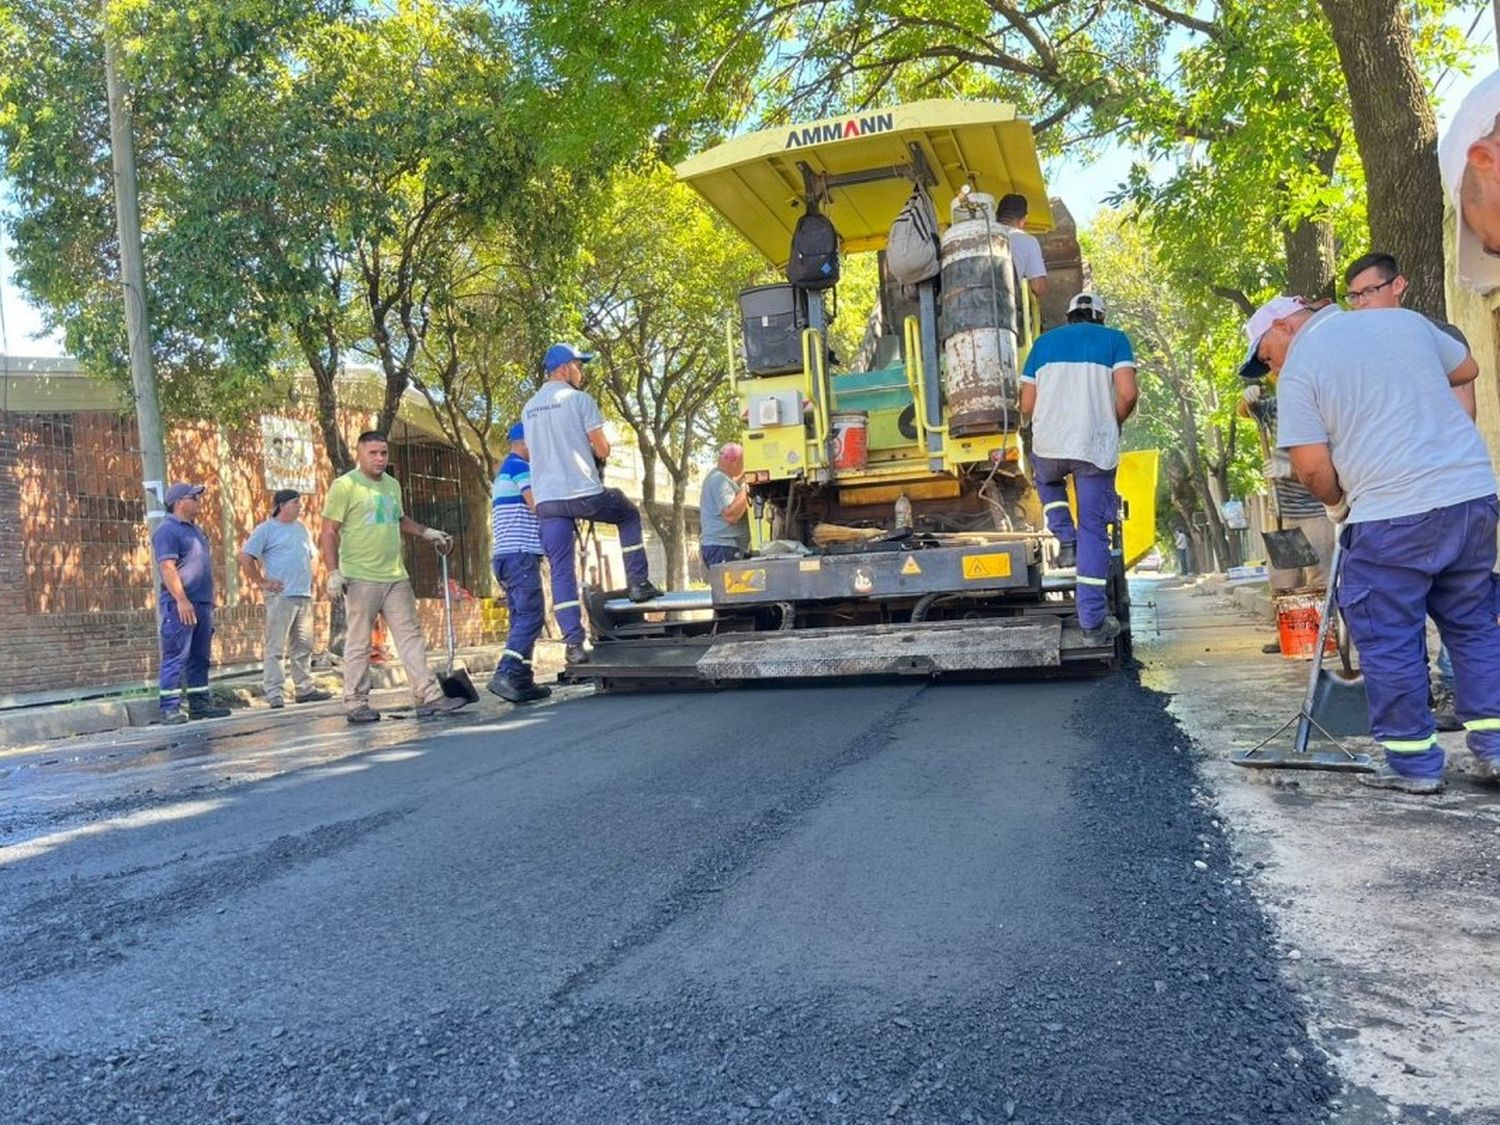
(185, 608)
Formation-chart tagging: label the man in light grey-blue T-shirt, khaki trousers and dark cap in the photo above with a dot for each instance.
(278, 560)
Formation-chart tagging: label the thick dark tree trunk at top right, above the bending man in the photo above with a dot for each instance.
(1397, 137)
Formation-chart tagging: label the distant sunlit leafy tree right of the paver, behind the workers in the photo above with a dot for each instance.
(1187, 349)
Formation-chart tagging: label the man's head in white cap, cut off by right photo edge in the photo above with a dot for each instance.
(1469, 158)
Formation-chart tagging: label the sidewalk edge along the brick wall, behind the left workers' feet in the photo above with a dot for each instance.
(23, 730)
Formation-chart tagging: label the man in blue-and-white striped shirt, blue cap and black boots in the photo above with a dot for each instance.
(517, 557)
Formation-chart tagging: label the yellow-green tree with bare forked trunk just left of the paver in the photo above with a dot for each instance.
(661, 277)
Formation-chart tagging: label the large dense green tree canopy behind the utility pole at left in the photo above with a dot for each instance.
(313, 176)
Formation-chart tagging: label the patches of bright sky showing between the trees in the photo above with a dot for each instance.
(1082, 187)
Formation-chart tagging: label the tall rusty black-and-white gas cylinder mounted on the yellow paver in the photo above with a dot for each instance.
(979, 322)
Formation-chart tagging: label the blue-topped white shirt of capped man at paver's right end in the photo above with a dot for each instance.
(1073, 370)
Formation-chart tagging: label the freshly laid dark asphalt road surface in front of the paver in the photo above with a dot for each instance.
(895, 902)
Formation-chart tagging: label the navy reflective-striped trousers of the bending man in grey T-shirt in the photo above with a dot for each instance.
(1396, 574)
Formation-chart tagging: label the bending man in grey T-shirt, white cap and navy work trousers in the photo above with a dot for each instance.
(1375, 431)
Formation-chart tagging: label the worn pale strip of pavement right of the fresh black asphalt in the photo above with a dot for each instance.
(1385, 904)
